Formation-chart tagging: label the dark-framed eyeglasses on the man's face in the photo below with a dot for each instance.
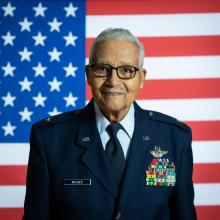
(123, 72)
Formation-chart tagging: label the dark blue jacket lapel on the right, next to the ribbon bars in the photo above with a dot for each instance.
(139, 155)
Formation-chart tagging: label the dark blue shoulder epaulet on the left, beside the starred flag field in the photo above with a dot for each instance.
(58, 118)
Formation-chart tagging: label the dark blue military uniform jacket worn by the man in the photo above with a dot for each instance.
(69, 176)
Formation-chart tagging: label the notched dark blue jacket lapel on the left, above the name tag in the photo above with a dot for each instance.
(94, 156)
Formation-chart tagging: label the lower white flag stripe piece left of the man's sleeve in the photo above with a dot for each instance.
(12, 196)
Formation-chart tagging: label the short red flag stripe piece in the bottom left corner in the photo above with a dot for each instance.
(11, 213)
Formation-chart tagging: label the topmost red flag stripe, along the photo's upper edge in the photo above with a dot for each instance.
(122, 7)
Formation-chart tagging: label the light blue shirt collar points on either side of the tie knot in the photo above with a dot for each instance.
(127, 122)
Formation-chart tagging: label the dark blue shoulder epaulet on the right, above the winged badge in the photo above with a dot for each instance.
(157, 116)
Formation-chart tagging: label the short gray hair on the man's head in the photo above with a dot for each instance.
(117, 34)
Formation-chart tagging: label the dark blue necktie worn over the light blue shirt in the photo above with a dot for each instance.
(114, 151)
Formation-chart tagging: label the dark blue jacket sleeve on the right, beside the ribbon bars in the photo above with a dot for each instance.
(183, 201)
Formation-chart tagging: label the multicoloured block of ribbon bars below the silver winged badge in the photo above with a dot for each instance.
(161, 172)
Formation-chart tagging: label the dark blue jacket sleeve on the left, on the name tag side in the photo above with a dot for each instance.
(36, 204)
